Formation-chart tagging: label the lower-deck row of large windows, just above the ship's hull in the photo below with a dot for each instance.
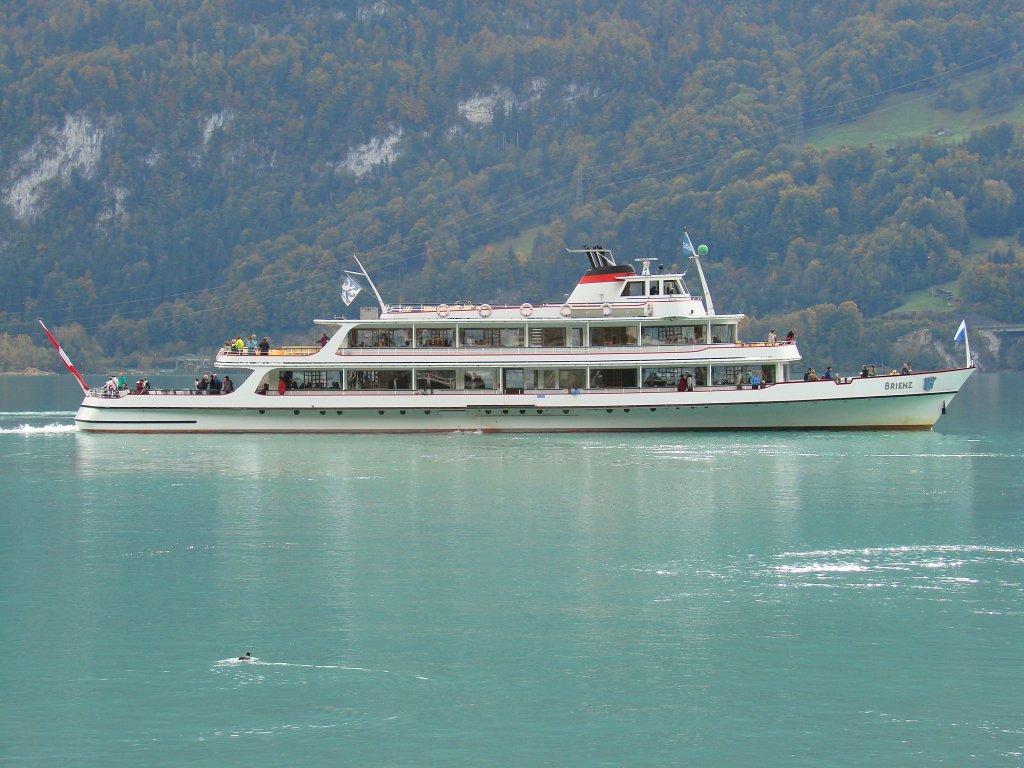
(523, 379)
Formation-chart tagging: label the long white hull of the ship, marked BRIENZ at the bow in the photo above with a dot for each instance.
(914, 402)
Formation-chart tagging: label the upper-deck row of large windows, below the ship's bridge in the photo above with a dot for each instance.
(575, 336)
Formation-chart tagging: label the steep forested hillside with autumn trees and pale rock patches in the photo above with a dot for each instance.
(175, 173)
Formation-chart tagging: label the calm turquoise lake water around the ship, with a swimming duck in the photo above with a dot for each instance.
(701, 600)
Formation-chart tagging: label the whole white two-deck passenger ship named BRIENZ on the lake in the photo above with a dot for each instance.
(629, 350)
